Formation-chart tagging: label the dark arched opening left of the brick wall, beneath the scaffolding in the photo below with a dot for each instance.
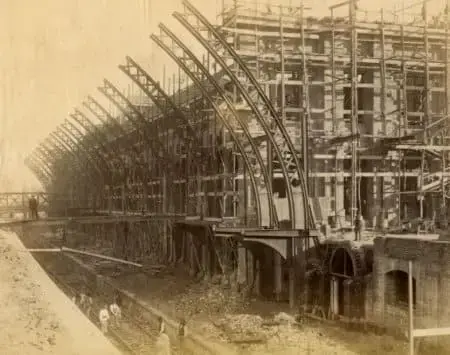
(341, 269)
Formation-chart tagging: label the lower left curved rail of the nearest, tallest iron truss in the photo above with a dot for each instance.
(257, 113)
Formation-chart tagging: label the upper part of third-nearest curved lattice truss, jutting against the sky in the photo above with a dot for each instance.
(154, 91)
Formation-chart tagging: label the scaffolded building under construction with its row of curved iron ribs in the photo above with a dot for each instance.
(339, 114)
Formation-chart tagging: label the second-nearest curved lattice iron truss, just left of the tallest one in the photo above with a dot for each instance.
(181, 53)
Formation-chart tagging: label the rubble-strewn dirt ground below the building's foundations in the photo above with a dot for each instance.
(220, 314)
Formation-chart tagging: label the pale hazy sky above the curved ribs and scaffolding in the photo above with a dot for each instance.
(53, 53)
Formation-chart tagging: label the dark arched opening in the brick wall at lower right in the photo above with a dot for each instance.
(396, 289)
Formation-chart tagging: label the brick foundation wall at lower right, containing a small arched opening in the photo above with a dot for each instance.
(431, 263)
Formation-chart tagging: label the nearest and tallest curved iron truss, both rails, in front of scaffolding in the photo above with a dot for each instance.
(204, 32)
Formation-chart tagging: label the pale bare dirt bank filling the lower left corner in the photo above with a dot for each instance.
(36, 317)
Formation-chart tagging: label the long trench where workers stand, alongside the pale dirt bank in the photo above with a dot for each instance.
(135, 333)
